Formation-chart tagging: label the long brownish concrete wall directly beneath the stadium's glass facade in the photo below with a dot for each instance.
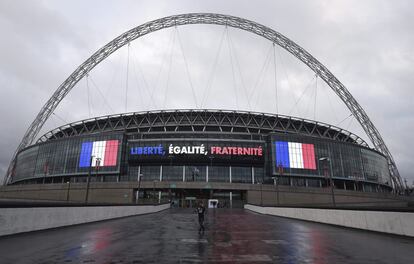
(264, 194)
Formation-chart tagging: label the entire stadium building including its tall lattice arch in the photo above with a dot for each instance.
(179, 156)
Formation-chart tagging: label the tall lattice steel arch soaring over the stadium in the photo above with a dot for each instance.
(217, 19)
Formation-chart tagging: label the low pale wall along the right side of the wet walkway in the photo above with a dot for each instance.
(399, 223)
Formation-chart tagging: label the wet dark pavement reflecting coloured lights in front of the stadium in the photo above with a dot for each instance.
(232, 236)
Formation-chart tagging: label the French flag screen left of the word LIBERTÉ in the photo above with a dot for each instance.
(106, 151)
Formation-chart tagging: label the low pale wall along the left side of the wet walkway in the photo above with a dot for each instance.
(18, 220)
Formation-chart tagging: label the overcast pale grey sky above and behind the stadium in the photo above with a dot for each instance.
(367, 45)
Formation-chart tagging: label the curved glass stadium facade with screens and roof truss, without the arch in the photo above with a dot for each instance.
(203, 145)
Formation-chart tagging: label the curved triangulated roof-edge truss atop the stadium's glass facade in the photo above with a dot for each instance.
(202, 121)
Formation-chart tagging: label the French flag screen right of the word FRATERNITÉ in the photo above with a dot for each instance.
(295, 155)
